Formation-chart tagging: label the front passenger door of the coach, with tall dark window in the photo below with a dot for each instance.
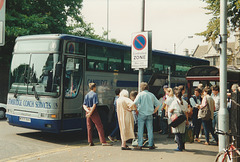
(73, 93)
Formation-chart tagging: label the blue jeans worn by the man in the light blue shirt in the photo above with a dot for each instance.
(148, 120)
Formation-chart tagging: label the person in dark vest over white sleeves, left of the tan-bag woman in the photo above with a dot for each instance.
(196, 100)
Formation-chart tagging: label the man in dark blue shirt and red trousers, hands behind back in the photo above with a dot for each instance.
(89, 105)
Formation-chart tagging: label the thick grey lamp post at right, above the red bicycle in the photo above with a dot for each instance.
(223, 116)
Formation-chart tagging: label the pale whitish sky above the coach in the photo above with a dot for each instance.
(171, 21)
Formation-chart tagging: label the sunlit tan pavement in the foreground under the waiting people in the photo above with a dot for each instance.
(195, 152)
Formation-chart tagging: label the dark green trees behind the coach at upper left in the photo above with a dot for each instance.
(27, 17)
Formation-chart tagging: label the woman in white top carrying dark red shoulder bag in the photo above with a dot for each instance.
(179, 106)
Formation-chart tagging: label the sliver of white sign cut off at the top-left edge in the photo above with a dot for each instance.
(2, 22)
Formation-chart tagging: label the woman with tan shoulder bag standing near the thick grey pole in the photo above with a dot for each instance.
(206, 112)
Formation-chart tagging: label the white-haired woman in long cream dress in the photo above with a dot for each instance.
(125, 118)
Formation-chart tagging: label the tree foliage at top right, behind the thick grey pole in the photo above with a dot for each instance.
(213, 27)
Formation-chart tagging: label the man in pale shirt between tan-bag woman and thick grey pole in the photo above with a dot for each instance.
(216, 98)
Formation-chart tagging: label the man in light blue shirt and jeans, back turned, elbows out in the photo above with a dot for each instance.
(146, 102)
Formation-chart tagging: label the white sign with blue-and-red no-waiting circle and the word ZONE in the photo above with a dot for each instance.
(140, 50)
